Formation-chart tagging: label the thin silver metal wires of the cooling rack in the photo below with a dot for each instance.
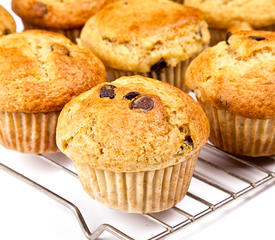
(187, 217)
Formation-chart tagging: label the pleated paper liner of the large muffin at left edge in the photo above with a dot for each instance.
(27, 132)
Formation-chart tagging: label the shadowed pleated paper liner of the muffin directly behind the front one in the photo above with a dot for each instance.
(173, 75)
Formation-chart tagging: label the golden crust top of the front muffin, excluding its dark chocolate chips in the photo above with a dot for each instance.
(108, 134)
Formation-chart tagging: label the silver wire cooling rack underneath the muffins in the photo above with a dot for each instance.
(216, 171)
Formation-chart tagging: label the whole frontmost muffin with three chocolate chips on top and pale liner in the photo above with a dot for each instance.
(134, 142)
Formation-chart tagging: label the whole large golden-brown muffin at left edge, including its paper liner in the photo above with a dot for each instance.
(39, 72)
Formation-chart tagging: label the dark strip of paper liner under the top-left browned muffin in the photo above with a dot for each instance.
(72, 34)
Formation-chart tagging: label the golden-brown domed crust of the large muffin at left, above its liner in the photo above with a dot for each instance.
(40, 71)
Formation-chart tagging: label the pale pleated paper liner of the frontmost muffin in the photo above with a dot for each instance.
(139, 192)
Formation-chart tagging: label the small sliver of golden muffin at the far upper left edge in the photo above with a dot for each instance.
(7, 23)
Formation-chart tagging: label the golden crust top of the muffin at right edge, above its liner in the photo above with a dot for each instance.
(238, 76)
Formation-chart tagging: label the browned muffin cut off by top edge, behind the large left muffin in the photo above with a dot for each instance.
(67, 17)
